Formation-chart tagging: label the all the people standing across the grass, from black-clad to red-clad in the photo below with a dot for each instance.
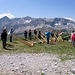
(40, 35)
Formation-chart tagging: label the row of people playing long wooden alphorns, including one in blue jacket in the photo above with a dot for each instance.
(39, 33)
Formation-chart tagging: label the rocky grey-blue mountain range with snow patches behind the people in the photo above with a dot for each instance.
(26, 23)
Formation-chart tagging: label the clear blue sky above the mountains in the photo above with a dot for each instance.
(39, 8)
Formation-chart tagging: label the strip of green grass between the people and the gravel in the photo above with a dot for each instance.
(63, 49)
